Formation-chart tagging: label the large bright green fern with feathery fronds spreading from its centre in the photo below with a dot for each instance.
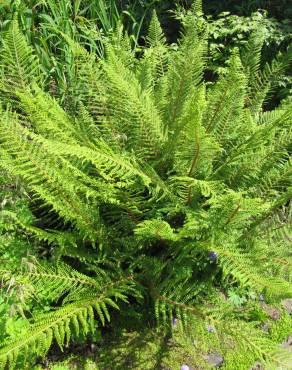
(153, 187)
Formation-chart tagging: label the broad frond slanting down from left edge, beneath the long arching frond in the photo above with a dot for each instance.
(44, 173)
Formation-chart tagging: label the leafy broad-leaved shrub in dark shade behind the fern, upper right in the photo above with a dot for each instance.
(229, 31)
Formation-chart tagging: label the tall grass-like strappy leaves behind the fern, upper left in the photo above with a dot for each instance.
(47, 23)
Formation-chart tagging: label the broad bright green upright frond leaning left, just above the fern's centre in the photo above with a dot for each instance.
(128, 104)
